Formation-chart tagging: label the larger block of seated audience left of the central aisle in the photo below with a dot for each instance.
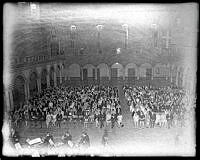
(93, 103)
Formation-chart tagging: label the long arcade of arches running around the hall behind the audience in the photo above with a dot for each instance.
(29, 82)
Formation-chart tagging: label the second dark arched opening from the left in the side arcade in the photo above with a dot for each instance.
(33, 88)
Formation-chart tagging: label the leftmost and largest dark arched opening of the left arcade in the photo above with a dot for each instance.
(18, 91)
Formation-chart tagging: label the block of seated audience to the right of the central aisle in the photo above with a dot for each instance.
(150, 106)
